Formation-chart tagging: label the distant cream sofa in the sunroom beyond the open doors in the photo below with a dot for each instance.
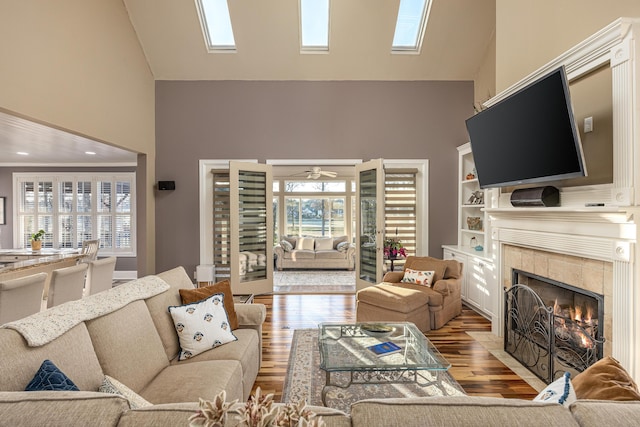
(315, 253)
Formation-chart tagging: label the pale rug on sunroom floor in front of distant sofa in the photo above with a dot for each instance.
(314, 281)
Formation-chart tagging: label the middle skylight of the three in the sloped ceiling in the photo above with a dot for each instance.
(314, 25)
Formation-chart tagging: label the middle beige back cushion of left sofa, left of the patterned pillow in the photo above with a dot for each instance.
(128, 346)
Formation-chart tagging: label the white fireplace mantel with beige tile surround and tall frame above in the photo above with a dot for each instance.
(588, 247)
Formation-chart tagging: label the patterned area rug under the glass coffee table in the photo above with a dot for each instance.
(304, 379)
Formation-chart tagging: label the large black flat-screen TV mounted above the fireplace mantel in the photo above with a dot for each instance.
(528, 137)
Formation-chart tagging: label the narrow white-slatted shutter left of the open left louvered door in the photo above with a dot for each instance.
(221, 225)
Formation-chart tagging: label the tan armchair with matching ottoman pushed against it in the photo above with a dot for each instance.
(430, 307)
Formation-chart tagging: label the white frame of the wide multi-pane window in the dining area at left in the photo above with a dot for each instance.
(74, 177)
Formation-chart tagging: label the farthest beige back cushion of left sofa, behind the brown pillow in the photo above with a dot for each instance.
(177, 278)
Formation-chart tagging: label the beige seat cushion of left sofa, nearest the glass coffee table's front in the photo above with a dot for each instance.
(187, 382)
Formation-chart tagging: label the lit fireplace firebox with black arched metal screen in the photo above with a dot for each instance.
(552, 327)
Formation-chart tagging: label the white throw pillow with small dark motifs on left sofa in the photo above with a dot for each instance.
(201, 326)
